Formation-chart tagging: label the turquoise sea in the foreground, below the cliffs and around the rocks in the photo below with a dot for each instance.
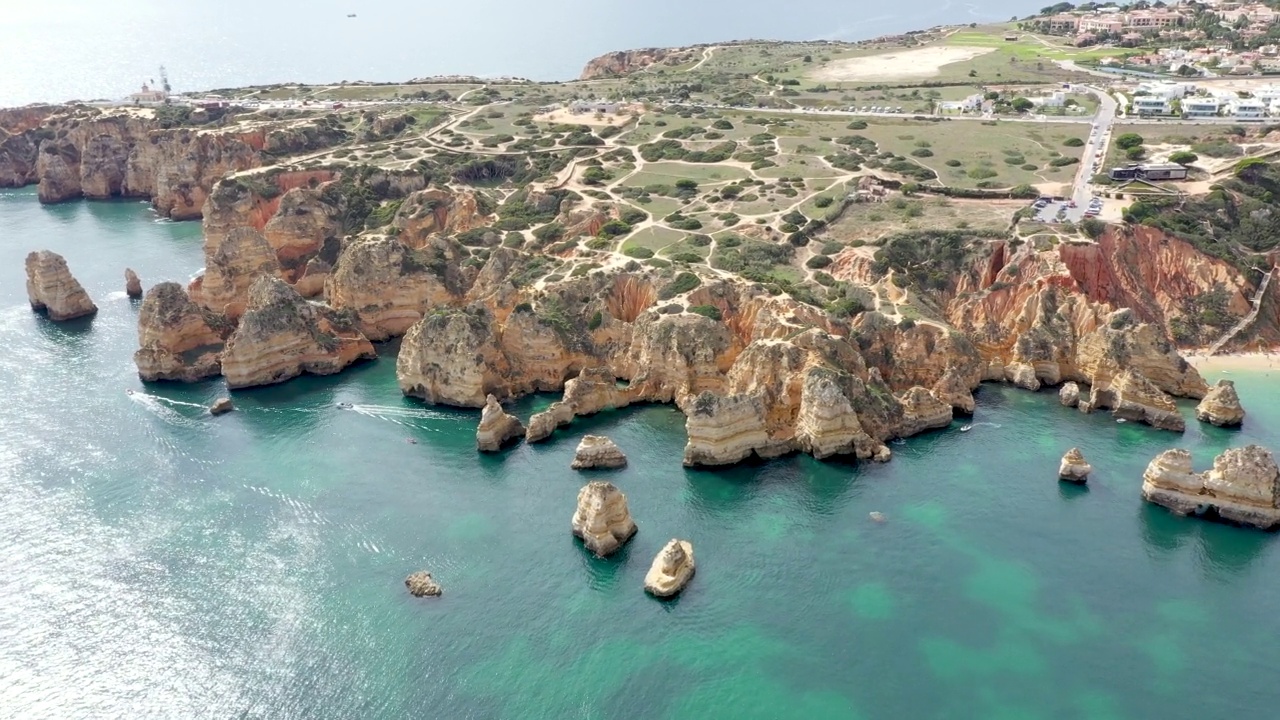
(159, 563)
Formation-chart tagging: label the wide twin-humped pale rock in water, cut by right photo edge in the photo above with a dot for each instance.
(1244, 487)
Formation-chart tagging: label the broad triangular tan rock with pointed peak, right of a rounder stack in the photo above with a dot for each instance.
(282, 336)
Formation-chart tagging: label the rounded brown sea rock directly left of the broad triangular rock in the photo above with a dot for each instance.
(177, 339)
